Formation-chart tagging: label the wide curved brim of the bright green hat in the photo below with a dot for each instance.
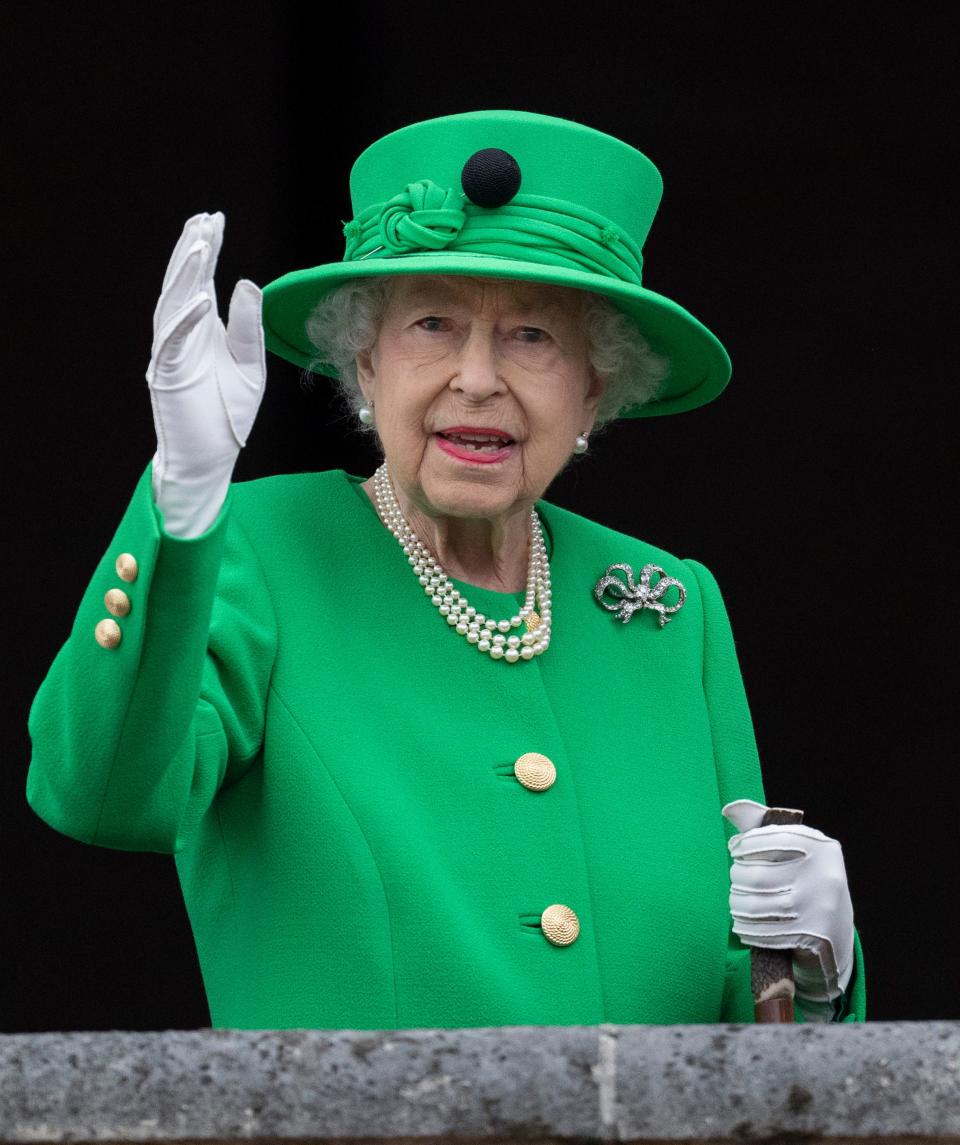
(699, 365)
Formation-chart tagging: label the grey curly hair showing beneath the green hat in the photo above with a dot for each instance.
(349, 320)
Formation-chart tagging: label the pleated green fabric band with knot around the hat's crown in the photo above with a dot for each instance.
(530, 228)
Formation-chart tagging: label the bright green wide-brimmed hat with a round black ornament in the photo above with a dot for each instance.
(510, 195)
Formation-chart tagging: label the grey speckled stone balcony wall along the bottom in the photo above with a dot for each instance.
(876, 1083)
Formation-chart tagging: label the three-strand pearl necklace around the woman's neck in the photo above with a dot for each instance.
(497, 638)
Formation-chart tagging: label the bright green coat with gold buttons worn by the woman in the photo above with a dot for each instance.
(332, 768)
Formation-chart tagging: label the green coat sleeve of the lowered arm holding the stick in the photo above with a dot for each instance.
(739, 778)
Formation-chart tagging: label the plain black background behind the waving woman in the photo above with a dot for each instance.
(808, 220)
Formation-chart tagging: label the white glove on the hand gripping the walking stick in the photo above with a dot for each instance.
(789, 891)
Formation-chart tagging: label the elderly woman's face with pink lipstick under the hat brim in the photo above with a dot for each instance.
(479, 390)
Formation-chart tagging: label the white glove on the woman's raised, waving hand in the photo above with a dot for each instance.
(206, 382)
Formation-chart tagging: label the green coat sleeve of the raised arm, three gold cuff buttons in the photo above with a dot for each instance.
(130, 745)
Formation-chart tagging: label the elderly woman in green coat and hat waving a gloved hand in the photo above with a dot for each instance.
(428, 749)
